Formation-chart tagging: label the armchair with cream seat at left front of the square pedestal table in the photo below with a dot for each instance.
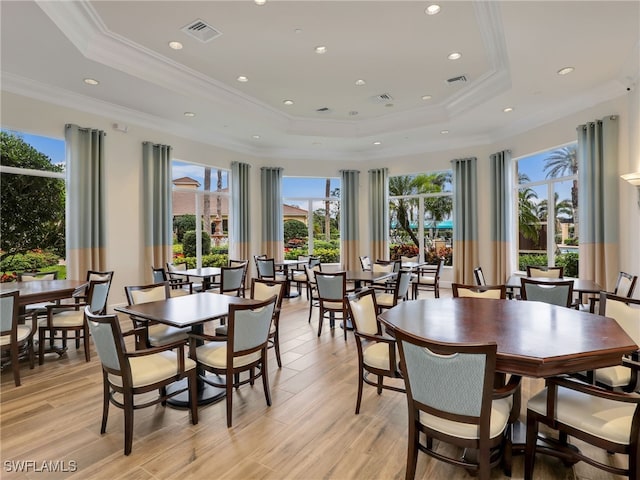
(127, 374)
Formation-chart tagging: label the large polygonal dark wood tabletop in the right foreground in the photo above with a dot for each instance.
(534, 339)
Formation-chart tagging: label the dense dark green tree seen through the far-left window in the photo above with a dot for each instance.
(32, 209)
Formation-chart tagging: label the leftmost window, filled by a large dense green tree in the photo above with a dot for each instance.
(32, 204)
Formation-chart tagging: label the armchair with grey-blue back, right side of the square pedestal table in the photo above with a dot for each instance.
(243, 349)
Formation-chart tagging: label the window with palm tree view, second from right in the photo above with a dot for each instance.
(420, 209)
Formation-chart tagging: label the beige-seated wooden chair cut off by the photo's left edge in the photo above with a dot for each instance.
(16, 337)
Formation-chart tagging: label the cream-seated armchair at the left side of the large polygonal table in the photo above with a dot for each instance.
(376, 351)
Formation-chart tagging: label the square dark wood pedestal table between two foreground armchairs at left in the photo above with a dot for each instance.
(191, 311)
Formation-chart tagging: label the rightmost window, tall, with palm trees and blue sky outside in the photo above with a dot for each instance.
(548, 209)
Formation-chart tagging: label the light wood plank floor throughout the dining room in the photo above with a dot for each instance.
(310, 431)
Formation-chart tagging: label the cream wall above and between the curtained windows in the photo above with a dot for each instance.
(124, 154)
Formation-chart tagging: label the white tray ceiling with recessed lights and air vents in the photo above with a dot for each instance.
(511, 52)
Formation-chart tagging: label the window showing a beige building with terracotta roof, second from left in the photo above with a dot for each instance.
(202, 193)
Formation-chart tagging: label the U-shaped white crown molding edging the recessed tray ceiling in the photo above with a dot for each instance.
(82, 25)
